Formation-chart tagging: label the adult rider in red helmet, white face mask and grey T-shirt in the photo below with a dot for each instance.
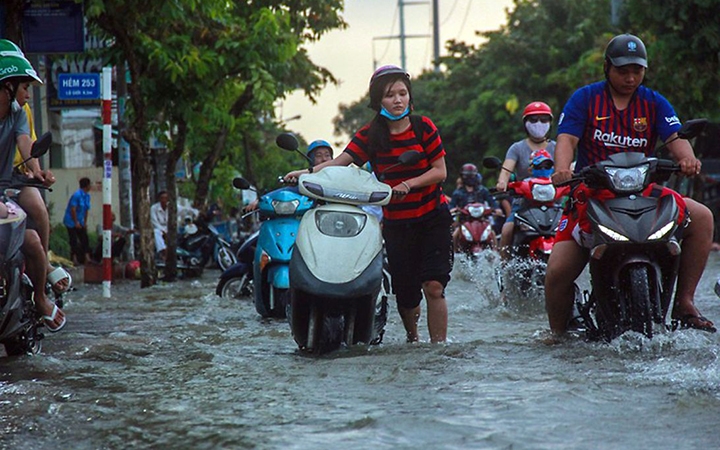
(537, 118)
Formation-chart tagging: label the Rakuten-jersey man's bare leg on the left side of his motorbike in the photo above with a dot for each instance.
(566, 263)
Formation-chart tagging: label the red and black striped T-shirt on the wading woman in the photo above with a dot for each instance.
(419, 203)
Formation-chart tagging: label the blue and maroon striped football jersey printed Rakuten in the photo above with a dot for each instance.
(603, 130)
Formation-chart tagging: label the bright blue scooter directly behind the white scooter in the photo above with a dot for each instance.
(281, 210)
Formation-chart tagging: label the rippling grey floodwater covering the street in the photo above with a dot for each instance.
(175, 366)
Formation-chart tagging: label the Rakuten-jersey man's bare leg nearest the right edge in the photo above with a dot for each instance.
(696, 244)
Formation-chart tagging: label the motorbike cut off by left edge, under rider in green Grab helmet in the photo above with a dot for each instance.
(20, 322)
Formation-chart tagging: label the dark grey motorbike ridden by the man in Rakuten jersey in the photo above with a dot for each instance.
(635, 249)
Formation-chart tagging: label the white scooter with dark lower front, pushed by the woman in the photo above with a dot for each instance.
(337, 293)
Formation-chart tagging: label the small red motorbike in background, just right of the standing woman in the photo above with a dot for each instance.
(476, 231)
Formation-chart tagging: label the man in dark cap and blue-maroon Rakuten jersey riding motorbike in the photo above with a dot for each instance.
(613, 116)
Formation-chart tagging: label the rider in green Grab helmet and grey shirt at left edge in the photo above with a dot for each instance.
(15, 70)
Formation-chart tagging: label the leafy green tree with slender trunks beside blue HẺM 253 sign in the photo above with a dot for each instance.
(204, 67)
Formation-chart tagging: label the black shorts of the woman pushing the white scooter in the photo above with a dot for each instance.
(419, 252)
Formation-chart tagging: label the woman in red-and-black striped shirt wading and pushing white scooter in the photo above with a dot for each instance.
(416, 223)
